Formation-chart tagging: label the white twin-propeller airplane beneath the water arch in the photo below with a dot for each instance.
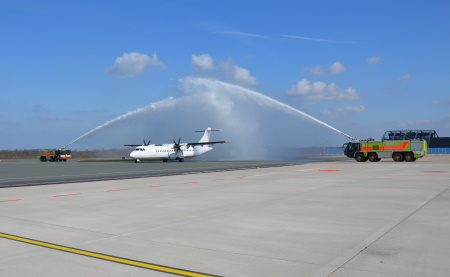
(174, 151)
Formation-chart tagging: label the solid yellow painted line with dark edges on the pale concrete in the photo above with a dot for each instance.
(156, 267)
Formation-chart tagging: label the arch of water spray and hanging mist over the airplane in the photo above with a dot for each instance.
(257, 125)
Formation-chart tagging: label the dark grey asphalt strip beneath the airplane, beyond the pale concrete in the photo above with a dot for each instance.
(33, 172)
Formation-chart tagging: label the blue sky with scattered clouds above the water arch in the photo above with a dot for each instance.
(363, 67)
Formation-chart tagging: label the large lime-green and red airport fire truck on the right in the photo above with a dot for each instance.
(374, 151)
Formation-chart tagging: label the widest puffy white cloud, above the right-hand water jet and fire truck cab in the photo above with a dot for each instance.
(320, 91)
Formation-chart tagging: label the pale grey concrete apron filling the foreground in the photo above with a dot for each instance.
(314, 219)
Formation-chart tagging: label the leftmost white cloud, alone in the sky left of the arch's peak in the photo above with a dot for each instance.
(132, 64)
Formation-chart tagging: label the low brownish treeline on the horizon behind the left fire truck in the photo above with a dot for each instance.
(76, 154)
